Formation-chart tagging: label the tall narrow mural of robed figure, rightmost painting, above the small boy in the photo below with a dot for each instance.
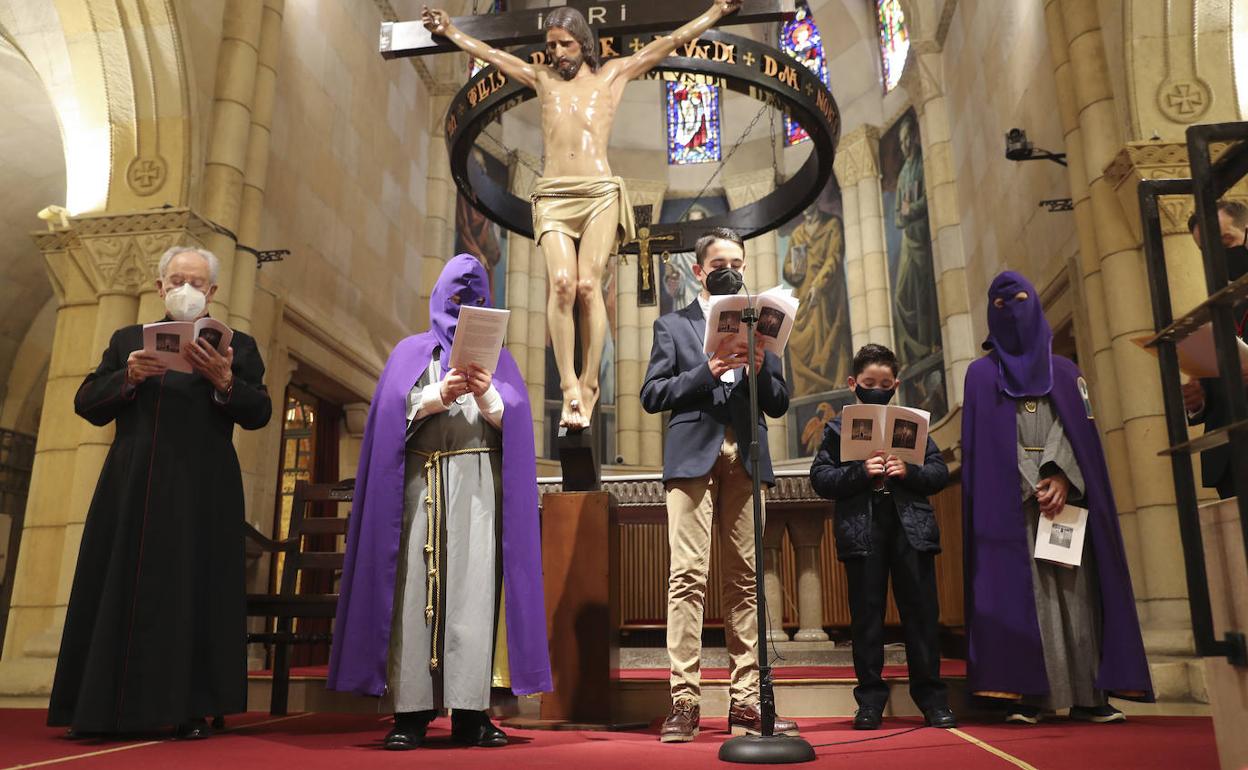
(913, 280)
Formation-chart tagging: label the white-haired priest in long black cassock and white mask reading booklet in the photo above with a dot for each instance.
(157, 621)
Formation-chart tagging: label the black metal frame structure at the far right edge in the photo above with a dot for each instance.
(1210, 182)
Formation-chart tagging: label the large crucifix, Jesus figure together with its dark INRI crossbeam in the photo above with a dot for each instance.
(581, 210)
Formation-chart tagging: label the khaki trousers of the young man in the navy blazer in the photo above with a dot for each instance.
(692, 505)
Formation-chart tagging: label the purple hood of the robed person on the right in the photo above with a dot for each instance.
(1020, 338)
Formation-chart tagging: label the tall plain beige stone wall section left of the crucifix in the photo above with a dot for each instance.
(346, 188)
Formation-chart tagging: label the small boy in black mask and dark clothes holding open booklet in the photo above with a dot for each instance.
(885, 526)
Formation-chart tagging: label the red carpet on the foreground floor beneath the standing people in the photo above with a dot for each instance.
(325, 742)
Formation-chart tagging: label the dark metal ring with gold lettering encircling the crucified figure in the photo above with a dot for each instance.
(736, 63)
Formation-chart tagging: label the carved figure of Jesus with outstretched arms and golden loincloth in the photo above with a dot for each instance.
(581, 212)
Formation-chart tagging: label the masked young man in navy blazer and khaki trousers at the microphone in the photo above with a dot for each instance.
(707, 471)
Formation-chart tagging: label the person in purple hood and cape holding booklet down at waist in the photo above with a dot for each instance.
(1041, 637)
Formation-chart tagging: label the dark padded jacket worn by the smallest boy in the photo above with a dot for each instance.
(849, 485)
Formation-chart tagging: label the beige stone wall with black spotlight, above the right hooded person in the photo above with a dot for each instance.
(999, 77)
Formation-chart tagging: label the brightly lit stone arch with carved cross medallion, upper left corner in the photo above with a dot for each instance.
(118, 76)
